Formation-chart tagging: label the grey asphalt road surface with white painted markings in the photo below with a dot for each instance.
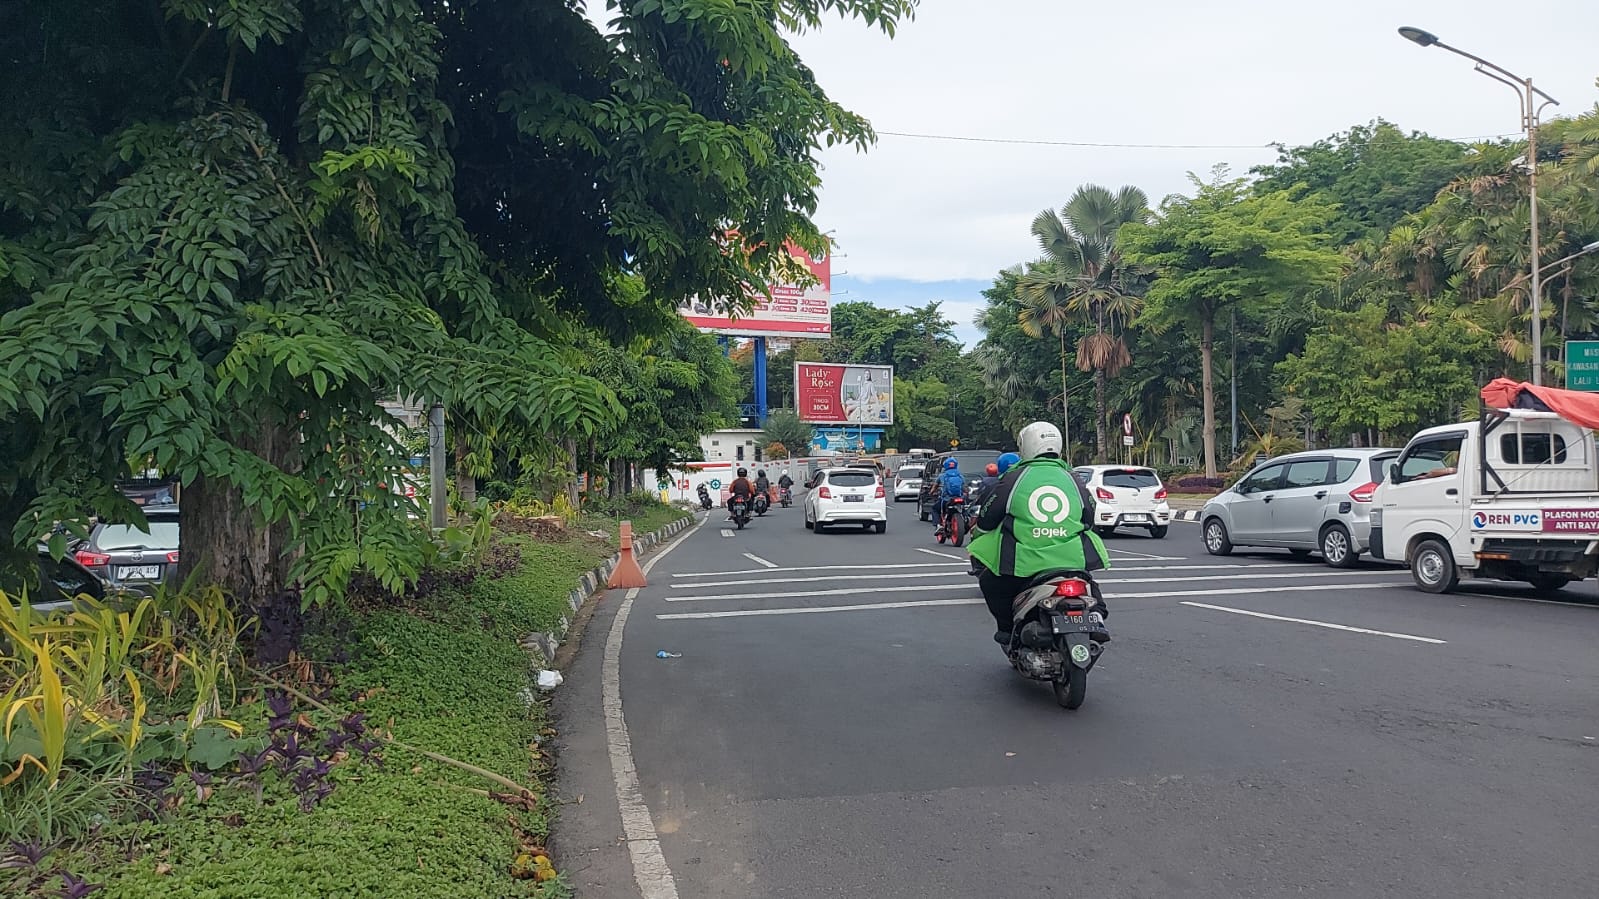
(840, 724)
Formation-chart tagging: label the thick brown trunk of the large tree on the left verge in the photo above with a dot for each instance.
(223, 543)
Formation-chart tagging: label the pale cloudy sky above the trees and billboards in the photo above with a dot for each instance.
(920, 220)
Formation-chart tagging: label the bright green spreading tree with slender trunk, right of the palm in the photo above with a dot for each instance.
(1226, 247)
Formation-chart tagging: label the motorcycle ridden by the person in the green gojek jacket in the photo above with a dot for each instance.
(1056, 636)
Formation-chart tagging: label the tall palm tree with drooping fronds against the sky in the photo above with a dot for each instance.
(1083, 278)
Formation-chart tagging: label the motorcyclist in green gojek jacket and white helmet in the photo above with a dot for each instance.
(1040, 519)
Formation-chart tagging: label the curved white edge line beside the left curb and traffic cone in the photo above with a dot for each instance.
(644, 845)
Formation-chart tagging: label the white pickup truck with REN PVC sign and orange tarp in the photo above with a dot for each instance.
(1513, 497)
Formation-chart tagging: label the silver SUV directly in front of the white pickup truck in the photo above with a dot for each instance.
(1317, 501)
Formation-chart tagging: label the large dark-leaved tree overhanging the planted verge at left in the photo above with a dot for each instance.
(279, 212)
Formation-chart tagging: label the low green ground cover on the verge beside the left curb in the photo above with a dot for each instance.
(445, 674)
